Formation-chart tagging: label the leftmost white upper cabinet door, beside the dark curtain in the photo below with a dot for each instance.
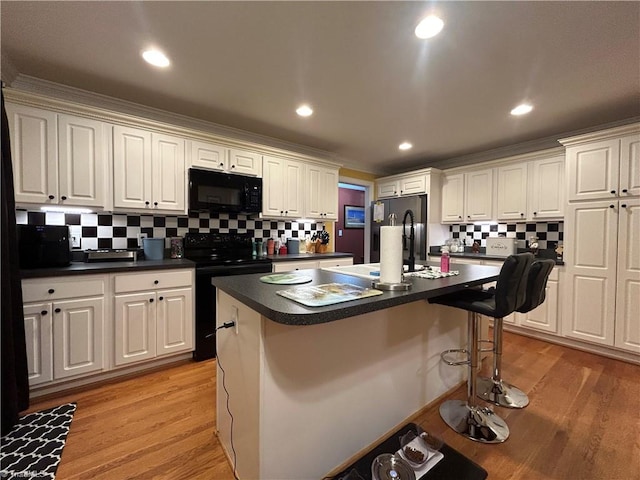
(34, 152)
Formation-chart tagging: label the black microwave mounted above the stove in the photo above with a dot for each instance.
(218, 192)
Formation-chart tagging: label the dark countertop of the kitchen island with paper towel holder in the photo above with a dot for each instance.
(262, 297)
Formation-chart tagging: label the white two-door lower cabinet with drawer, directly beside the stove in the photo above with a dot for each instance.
(150, 323)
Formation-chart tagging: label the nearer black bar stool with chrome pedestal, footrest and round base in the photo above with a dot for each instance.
(476, 422)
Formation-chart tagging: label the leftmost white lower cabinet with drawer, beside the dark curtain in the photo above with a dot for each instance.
(64, 326)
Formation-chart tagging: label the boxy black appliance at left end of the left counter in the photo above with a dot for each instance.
(43, 246)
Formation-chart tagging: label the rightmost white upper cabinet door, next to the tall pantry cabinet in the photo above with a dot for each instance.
(547, 191)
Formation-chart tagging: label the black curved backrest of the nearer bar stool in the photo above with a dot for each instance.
(511, 287)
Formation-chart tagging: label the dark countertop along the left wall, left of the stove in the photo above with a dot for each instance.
(81, 268)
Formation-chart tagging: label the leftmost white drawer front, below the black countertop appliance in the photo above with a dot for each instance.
(54, 288)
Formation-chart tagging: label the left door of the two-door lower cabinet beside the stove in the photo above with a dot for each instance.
(135, 327)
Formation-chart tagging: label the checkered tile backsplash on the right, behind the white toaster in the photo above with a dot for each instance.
(548, 233)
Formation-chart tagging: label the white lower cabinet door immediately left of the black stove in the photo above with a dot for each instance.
(175, 317)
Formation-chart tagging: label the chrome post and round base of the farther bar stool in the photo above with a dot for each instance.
(494, 389)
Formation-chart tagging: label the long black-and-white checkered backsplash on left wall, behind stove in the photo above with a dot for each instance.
(101, 230)
